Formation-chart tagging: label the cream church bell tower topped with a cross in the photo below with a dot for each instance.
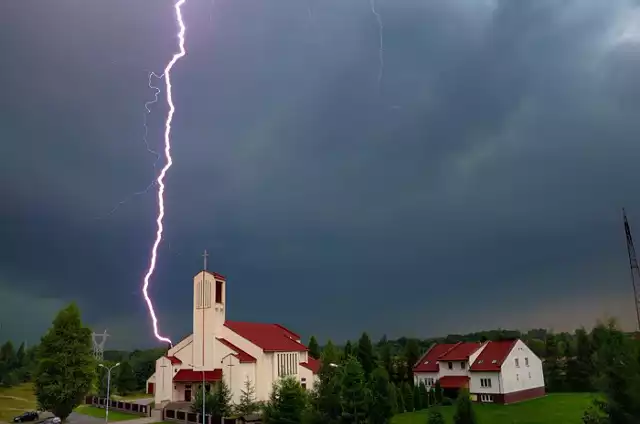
(209, 303)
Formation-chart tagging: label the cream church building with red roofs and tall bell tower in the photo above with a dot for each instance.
(226, 350)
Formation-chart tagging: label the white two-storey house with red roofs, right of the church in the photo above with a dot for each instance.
(502, 371)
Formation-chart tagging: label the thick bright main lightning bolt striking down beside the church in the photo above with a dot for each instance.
(169, 161)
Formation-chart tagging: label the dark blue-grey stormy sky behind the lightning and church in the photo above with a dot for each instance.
(479, 185)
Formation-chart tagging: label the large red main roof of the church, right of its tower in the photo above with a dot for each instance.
(268, 337)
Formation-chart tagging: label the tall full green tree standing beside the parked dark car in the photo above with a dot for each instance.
(66, 368)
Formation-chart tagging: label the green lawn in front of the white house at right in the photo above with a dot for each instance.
(561, 408)
